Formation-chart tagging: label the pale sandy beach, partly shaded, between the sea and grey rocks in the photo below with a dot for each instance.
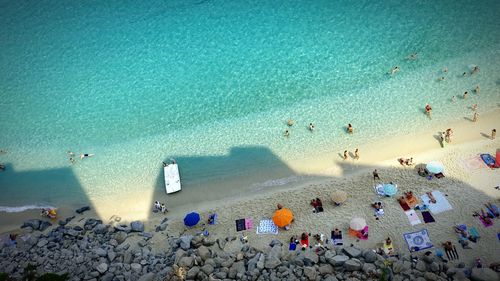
(468, 185)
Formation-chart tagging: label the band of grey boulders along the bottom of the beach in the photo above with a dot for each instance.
(97, 251)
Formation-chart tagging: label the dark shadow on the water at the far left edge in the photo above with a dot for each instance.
(53, 187)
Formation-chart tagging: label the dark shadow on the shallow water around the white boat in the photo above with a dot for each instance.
(201, 175)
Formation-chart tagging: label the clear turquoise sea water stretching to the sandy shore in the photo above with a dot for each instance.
(211, 83)
